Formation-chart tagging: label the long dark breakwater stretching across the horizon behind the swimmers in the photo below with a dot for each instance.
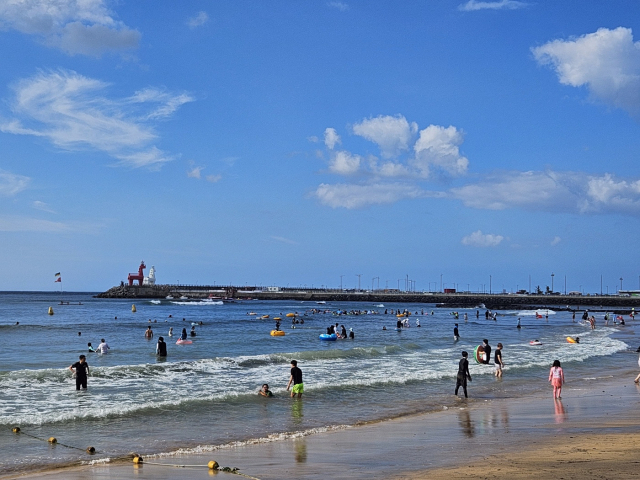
(452, 300)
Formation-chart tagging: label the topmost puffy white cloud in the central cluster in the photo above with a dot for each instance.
(392, 134)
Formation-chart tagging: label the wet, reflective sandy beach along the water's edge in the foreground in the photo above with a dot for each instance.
(593, 432)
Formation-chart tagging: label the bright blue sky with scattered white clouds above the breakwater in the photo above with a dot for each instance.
(290, 143)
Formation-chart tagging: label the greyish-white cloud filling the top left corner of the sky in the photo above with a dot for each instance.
(84, 27)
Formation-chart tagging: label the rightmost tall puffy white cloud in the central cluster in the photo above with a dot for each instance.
(439, 147)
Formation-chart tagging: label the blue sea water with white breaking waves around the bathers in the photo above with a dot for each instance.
(203, 396)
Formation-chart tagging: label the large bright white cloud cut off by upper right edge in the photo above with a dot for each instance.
(607, 62)
